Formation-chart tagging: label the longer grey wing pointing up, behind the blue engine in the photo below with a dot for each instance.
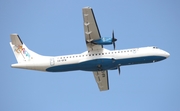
(91, 29)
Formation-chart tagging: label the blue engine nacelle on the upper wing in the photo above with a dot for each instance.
(103, 41)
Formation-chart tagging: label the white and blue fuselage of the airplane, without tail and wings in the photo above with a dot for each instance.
(95, 60)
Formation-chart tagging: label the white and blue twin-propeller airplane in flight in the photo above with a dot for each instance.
(96, 59)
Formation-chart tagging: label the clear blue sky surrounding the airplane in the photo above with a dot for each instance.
(55, 27)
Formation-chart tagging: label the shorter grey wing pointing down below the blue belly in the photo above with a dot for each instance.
(101, 78)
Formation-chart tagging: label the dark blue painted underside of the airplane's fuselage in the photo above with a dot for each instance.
(106, 64)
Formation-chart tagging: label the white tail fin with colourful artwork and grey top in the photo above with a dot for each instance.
(21, 52)
